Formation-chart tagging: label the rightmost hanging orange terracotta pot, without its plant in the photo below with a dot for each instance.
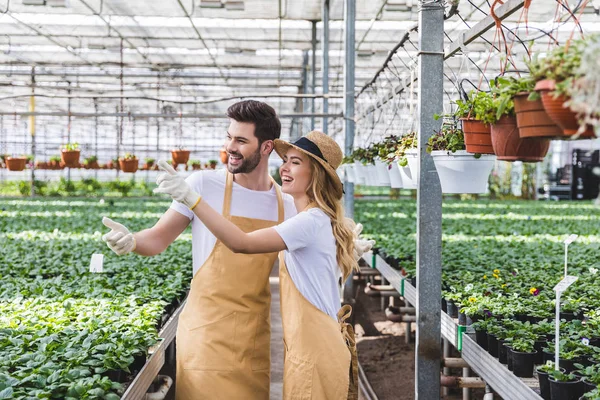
(561, 115)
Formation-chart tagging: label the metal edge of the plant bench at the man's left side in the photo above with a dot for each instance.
(138, 388)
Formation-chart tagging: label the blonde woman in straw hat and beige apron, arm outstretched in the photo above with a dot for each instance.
(317, 253)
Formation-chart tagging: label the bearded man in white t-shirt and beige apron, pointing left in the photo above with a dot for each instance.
(223, 337)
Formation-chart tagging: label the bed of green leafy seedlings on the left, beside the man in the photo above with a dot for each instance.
(65, 332)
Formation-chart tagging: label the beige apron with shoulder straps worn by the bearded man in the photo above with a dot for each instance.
(224, 331)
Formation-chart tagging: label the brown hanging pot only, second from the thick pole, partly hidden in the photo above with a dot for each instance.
(508, 146)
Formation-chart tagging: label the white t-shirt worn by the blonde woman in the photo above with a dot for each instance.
(311, 258)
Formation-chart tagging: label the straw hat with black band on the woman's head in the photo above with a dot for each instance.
(322, 149)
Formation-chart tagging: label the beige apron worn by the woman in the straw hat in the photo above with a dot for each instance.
(320, 354)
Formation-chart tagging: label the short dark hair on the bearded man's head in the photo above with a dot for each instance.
(263, 116)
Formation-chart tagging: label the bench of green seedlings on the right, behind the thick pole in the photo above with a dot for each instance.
(501, 260)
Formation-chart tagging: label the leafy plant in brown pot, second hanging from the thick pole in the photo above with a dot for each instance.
(506, 141)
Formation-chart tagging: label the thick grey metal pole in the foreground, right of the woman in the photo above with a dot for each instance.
(429, 203)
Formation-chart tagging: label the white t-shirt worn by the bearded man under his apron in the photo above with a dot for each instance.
(244, 203)
